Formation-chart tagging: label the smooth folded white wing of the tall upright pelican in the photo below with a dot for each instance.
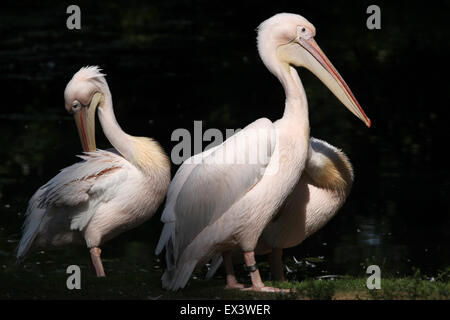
(224, 175)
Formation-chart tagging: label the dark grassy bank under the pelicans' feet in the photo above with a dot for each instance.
(145, 284)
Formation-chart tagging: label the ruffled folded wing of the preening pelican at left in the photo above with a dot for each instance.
(73, 186)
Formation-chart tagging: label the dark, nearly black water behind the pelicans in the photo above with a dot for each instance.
(172, 62)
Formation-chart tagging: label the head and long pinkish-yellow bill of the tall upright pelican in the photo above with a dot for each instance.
(293, 37)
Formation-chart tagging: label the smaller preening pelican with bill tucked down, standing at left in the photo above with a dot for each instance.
(107, 193)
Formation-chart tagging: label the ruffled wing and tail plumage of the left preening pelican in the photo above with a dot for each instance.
(73, 195)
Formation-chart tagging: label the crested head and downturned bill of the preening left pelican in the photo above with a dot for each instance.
(83, 94)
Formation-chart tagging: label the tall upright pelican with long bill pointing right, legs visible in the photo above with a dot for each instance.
(214, 207)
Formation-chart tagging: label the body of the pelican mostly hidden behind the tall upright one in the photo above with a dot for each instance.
(323, 188)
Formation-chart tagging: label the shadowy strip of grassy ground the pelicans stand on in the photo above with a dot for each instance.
(43, 276)
